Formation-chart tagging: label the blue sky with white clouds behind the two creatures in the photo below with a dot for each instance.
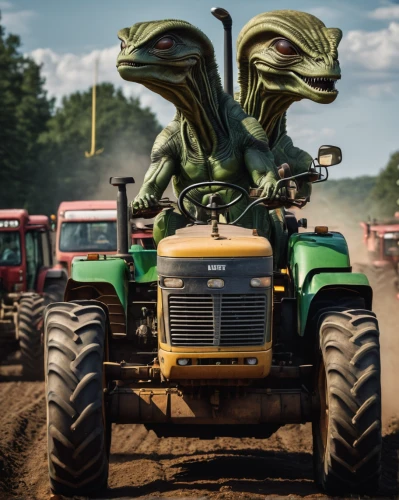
(67, 37)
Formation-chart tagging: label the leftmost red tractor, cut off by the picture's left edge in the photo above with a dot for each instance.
(27, 283)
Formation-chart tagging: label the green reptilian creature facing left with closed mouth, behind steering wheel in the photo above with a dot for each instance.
(210, 137)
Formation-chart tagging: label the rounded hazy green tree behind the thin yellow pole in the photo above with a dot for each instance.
(125, 130)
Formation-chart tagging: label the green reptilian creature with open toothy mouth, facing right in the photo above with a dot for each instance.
(285, 56)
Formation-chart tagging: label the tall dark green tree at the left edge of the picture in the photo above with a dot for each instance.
(25, 111)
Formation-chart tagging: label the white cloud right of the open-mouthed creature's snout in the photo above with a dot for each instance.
(373, 50)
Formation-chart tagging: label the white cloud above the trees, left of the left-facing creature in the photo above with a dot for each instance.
(68, 73)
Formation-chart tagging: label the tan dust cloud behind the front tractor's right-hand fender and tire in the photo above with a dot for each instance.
(338, 215)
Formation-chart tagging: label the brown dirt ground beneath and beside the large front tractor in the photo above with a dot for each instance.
(143, 466)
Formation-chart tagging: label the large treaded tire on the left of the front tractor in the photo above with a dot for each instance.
(76, 419)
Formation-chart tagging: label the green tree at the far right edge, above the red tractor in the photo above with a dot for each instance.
(385, 194)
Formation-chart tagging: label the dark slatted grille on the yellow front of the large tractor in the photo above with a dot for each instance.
(217, 320)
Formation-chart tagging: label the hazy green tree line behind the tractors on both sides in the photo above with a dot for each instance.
(42, 146)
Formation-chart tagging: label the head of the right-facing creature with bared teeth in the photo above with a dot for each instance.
(290, 53)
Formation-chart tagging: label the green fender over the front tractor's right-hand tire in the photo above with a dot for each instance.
(319, 262)
